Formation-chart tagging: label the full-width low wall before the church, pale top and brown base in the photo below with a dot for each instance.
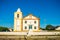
(23, 36)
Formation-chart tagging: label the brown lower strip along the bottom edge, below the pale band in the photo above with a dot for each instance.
(17, 37)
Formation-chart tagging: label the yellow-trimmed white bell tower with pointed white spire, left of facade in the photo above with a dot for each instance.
(18, 20)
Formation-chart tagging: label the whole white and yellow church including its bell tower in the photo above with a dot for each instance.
(24, 24)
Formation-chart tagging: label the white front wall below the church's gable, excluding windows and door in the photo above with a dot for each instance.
(30, 22)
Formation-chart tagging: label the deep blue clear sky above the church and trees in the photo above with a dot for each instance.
(47, 10)
